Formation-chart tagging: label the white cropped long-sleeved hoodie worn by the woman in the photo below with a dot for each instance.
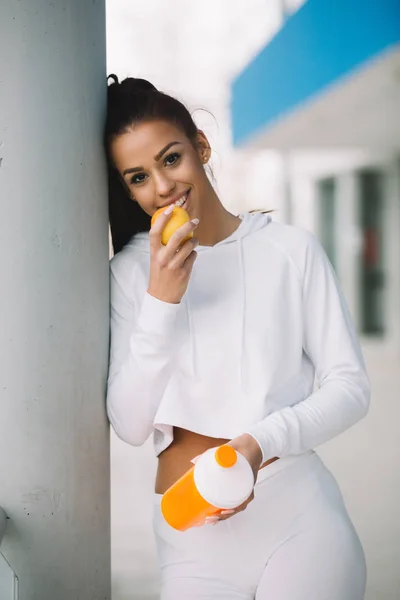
(261, 317)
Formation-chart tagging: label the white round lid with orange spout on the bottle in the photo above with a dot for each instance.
(223, 477)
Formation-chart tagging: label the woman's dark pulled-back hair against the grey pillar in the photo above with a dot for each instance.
(129, 102)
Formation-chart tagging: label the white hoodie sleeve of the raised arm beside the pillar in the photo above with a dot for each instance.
(140, 361)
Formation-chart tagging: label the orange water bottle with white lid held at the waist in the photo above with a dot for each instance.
(221, 479)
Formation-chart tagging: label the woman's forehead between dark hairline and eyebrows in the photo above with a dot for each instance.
(142, 142)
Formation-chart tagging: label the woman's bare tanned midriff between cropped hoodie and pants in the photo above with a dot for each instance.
(175, 460)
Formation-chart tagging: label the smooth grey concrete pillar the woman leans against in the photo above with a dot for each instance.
(54, 436)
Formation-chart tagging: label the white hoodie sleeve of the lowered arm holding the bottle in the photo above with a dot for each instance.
(330, 341)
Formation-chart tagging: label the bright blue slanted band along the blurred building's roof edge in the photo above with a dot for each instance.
(320, 44)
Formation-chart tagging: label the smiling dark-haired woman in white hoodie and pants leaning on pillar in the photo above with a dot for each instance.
(215, 340)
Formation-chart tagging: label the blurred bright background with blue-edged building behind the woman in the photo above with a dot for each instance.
(300, 101)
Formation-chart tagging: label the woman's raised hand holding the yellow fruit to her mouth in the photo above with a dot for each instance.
(171, 265)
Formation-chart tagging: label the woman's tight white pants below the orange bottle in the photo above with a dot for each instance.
(295, 541)
